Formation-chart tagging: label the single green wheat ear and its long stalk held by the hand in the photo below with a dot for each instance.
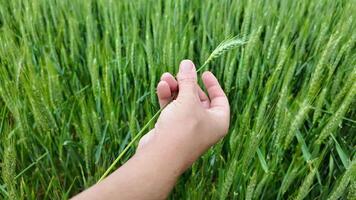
(222, 48)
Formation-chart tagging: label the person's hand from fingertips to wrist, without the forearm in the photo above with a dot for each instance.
(192, 122)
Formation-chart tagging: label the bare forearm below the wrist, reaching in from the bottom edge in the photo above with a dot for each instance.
(149, 174)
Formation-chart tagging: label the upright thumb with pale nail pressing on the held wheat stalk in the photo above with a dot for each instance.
(187, 78)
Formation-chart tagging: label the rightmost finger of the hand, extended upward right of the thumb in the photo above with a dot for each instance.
(218, 99)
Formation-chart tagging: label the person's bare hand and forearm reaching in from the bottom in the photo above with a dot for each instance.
(185, 129)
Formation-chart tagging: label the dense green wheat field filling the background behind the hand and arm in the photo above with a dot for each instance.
(77, 83)
